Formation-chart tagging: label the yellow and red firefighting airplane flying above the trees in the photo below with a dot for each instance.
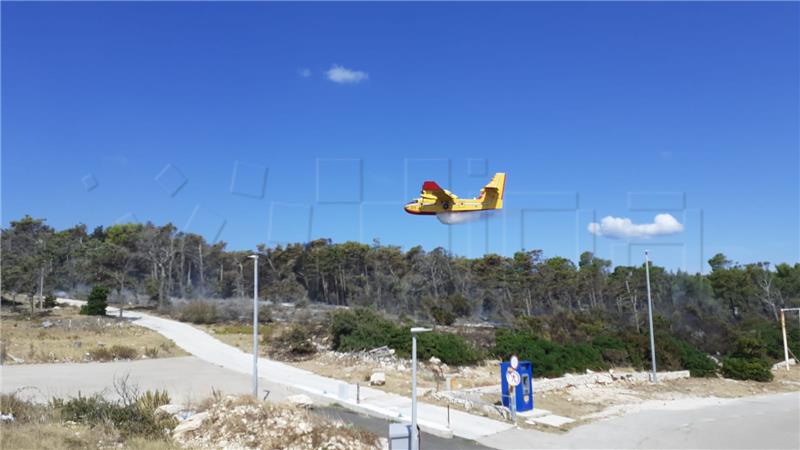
(434, 200)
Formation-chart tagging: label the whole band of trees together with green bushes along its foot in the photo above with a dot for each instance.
(565, 315)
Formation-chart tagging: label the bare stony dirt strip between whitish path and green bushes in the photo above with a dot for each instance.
(583, 404)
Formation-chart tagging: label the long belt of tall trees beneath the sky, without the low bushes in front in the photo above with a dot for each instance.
(156, 264)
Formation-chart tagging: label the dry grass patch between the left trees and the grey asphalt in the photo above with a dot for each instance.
(71, 337)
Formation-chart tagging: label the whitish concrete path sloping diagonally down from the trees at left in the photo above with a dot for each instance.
(431, 418)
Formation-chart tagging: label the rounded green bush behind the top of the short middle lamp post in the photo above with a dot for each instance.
(364, 329)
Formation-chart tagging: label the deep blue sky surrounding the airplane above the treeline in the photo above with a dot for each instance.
(226, 120)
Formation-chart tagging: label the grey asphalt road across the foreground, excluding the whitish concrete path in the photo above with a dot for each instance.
(763, 422)
